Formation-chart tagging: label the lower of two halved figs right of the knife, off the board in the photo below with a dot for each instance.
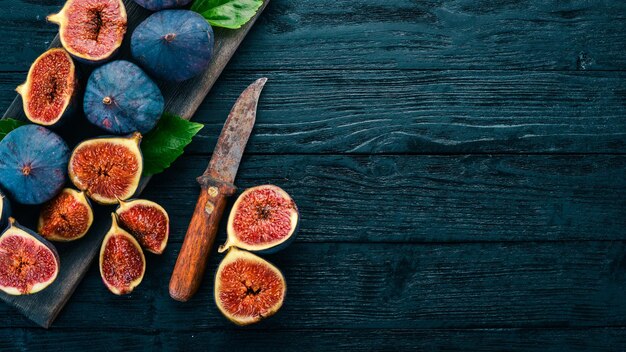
(248, 288)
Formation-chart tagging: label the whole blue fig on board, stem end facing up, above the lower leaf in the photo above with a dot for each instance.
(120, 98)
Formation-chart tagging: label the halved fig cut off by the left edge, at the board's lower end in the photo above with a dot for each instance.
(28, 263)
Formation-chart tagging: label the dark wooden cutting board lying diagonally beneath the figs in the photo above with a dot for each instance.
(180, 98)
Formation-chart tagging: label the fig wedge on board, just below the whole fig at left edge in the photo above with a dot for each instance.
(66, 217)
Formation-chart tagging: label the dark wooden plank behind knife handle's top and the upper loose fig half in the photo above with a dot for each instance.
(428, 198)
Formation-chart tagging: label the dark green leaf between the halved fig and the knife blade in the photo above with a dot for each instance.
(165, 143)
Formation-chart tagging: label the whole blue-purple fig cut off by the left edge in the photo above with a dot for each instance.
(33, 164)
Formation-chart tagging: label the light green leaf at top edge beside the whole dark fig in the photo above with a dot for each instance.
(227, 13)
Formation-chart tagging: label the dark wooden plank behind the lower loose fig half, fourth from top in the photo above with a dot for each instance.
(386, 286)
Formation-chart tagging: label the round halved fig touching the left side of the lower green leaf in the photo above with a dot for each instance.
(77, 164)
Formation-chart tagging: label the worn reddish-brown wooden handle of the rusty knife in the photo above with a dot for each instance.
(192, 259)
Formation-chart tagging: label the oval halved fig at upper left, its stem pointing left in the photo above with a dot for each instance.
(50, 88)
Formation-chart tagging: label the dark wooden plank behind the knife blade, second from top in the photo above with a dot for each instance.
(341, 111)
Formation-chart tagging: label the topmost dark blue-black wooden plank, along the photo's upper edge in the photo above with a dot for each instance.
(448, 34)
